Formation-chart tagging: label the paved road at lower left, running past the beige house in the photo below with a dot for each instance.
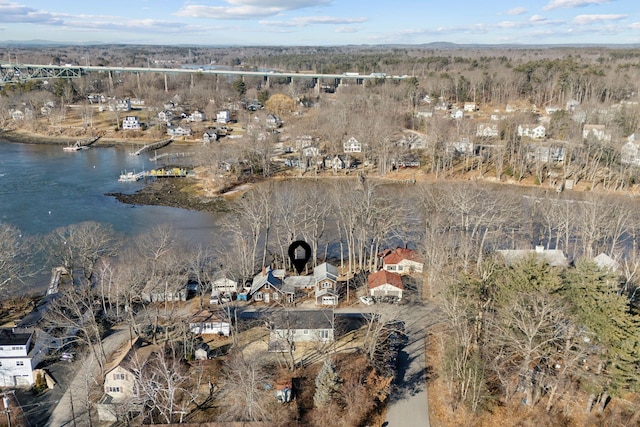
(86, 376)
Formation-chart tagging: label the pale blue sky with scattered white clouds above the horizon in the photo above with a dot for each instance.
(321, 22)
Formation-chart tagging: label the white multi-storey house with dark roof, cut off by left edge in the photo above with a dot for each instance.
(16, 368)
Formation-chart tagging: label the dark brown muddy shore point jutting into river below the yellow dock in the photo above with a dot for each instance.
(174, 192)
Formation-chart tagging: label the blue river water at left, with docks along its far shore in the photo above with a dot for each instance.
(43, 187)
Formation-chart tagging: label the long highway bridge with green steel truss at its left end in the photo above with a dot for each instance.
(19, 73)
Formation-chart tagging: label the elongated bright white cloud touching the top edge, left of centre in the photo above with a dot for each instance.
(247, 9)
